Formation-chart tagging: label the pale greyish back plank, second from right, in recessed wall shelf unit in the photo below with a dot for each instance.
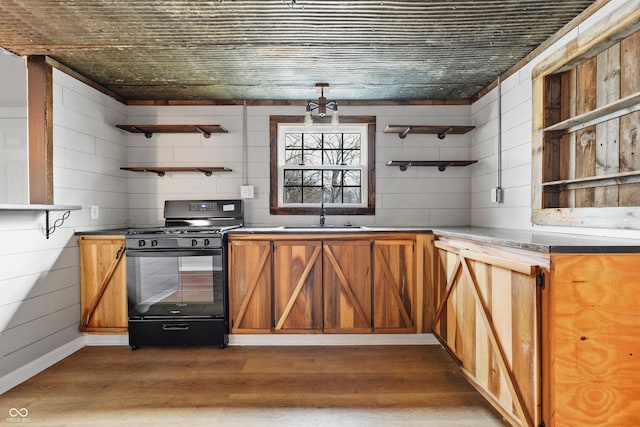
(607, 133)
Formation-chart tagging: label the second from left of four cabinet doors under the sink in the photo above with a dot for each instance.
(297, 285)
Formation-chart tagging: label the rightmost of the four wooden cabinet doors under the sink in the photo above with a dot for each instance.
(394, 288)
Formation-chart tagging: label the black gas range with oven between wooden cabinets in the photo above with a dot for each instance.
(177, 275)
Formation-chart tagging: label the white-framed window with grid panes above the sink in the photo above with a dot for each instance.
(323, 163)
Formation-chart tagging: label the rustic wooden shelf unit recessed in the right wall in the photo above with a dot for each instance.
(586, 104)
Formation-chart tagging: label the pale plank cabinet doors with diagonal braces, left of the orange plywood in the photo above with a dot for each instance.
(488, 315)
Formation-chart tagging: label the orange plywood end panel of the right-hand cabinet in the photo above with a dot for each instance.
(596, 321)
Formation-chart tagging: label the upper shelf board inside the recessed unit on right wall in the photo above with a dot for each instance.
(607, 112)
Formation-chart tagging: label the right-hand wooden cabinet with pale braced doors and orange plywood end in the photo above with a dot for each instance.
(546, 338)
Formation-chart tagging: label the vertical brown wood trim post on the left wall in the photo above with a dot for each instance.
(40, 110)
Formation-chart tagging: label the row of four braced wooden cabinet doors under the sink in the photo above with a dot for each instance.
(332, 283)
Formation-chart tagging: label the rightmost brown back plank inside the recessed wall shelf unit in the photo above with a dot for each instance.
(630, 123)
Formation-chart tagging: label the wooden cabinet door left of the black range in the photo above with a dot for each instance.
(103, 284)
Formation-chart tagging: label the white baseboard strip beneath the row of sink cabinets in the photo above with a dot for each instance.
(332, 339)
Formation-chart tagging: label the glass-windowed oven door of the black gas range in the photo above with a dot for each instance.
(183, 283)
